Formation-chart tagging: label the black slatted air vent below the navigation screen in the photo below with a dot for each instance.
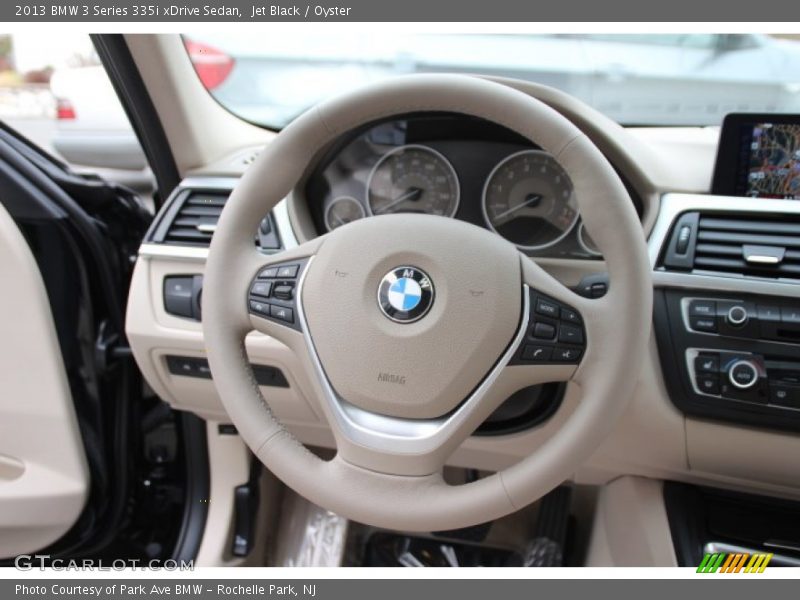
(736, 245)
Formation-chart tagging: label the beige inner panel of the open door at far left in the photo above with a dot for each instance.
(43, 473)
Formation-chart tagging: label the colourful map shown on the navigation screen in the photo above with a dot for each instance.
(774, 168)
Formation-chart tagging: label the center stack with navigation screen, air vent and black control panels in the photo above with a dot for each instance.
(727, 272)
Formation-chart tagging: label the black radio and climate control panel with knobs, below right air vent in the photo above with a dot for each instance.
(731, 357)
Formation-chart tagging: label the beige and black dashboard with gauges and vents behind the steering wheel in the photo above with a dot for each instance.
(690, 419)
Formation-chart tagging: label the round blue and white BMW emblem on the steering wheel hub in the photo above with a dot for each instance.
(405, 294)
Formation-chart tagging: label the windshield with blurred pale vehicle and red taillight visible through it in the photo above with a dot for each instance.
(661, 79)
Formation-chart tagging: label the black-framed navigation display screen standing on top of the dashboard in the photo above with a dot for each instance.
(759, 157)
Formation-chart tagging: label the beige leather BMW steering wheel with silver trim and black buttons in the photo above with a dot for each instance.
(412, 329)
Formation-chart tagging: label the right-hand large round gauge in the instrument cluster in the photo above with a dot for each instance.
(528, 199)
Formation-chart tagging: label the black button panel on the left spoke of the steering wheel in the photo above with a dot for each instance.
(274, 299)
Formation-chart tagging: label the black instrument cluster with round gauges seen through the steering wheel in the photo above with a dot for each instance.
(454, 167)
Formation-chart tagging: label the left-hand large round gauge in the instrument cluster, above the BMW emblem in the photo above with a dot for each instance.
(413, 179)
